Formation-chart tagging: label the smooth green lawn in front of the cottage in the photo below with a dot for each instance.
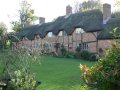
(59, 73)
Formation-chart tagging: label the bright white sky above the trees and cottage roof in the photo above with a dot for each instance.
(50, 9)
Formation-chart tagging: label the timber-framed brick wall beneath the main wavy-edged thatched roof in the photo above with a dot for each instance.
(74, 41)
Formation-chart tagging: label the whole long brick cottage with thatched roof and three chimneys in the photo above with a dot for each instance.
(88, 30)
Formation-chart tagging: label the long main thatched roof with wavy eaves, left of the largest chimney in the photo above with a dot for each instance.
(90, 21)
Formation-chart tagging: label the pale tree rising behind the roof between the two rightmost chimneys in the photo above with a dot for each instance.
(88, 5)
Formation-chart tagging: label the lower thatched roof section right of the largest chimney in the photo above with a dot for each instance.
(109, 27)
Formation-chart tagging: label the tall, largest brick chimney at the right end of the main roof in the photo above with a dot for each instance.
(106, 11)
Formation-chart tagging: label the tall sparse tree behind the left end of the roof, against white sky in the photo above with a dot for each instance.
(26, 16)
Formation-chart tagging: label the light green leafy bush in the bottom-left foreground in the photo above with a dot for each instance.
(22, 80)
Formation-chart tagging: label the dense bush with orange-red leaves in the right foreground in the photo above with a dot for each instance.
(105, 74)
